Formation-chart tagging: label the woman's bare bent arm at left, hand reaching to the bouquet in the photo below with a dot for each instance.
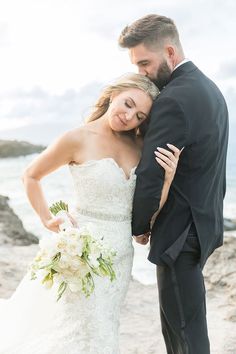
(60, 153)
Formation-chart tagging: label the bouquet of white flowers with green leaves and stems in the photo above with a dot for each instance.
(72, 257)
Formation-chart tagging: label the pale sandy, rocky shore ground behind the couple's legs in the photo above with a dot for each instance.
(140, 326)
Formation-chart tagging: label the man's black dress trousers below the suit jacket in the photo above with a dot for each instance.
(182, 302)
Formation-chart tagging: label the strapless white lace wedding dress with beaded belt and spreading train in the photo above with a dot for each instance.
(32, 322)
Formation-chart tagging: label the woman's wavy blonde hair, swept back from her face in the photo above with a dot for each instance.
(123, 83)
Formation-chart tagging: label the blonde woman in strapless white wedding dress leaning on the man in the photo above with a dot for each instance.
(102, 156)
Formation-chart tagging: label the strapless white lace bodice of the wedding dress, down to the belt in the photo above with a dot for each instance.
(103, 189)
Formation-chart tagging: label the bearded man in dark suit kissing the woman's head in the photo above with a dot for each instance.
(190, 112)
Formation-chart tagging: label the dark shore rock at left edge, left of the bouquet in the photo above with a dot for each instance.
(12, 231)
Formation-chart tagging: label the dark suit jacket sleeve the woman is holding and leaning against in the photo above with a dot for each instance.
(168, 124)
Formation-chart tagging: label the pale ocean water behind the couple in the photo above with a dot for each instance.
(59, 185)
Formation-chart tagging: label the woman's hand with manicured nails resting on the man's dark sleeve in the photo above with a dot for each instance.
(168, 160)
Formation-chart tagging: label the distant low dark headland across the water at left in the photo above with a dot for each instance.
(14, 148)
